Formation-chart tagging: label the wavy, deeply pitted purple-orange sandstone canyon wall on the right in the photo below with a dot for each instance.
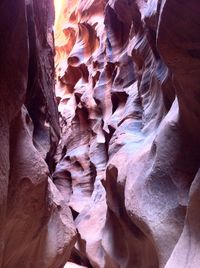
(127, 164)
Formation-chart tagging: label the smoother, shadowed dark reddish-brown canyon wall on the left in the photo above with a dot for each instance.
(36, 226)
